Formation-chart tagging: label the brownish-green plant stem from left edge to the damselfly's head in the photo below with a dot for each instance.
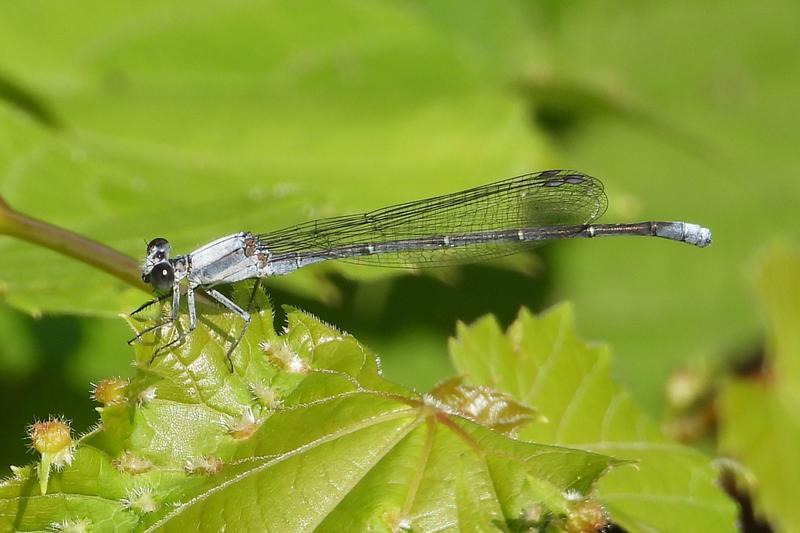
(71, 244)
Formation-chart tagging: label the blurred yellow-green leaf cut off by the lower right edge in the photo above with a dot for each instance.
(758, 416)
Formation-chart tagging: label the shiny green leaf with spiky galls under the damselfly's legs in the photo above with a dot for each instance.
(303, 434)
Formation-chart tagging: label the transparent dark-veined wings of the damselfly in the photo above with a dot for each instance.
(548, 198)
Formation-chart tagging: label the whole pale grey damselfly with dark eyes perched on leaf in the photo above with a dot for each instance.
(479, 223)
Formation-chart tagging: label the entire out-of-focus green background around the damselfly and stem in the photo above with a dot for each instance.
(129, 120)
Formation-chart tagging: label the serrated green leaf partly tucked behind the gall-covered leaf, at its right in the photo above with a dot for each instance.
(540, 363)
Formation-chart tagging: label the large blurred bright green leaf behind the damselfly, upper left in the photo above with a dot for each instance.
(265, 128)
